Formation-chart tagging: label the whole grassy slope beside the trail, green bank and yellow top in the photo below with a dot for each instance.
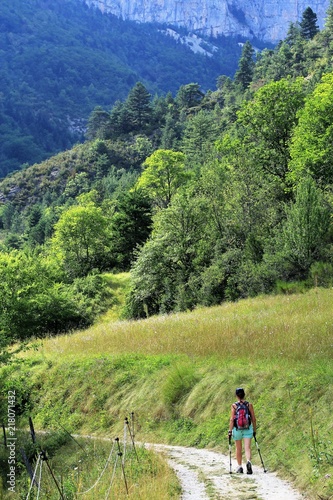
(178, 374)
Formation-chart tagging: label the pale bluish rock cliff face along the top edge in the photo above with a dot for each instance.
(265, 19)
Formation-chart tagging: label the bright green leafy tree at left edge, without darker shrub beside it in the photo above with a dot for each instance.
(31, 302)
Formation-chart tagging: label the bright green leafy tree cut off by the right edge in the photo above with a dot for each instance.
(312, 143)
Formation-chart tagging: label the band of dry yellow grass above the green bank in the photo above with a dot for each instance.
(296, 327)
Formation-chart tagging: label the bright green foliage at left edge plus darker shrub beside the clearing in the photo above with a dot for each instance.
(35, 300)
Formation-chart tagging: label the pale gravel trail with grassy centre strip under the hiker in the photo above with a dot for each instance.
(205, 475)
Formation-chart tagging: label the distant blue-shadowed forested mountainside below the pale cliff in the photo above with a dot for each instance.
(61, 59)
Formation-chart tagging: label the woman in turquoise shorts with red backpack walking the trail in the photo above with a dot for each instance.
(242, 426)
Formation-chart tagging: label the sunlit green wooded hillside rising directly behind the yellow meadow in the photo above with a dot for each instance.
(205, 196)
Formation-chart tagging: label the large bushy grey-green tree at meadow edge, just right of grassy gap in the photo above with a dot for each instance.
(163, 276)
